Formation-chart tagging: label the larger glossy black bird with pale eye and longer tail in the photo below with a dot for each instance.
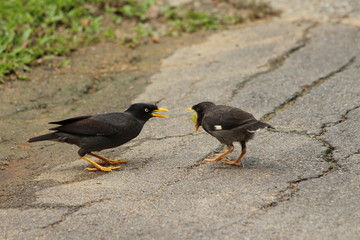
(102, 131)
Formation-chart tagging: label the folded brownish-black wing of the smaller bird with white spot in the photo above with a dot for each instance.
(226, 118)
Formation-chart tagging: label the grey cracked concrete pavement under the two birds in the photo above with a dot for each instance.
(300, 73)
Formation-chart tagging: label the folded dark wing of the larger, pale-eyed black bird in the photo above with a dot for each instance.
(102, 124)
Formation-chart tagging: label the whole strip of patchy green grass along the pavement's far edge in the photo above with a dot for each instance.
(34, 31)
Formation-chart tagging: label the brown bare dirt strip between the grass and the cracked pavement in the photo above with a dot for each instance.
(101, 78)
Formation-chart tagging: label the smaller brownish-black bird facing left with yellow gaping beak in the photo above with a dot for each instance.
(228, 125)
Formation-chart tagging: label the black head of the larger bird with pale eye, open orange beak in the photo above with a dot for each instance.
(144, 112)
